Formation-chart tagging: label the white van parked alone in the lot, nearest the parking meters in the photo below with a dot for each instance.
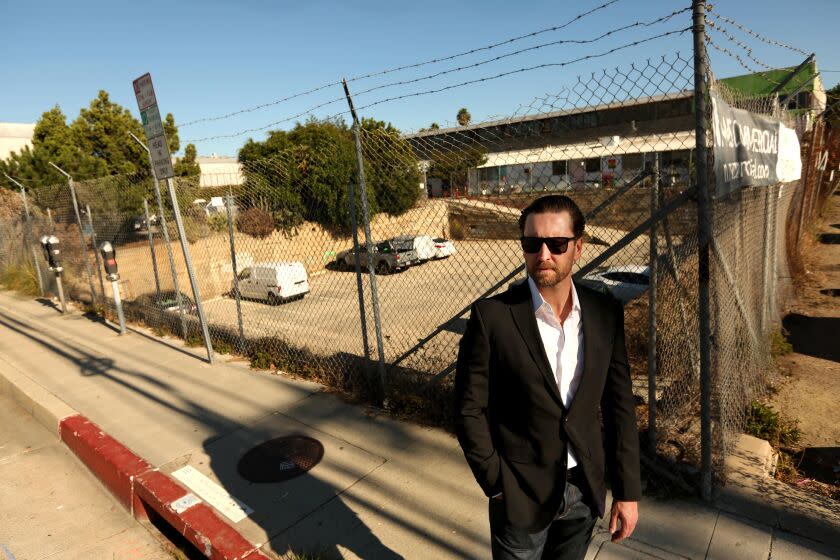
(274, 282)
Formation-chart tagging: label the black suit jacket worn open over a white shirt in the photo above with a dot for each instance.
(510, 418)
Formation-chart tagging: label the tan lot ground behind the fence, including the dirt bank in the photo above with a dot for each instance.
(413, 303)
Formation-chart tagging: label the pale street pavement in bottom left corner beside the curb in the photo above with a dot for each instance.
(52, 507)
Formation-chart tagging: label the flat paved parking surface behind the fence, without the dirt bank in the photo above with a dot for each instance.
(413, 303)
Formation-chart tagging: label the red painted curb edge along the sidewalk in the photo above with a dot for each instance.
(138, 486)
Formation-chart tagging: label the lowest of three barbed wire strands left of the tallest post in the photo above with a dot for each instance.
(438, 90)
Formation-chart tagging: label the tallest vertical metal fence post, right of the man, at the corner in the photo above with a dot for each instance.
(704, 229)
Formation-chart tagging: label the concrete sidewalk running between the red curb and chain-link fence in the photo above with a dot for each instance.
(384, 489)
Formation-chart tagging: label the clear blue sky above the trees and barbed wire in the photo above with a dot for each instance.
(212, 57)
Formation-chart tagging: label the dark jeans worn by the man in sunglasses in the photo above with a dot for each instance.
(566, 538)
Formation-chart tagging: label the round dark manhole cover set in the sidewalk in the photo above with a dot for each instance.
(280, 459)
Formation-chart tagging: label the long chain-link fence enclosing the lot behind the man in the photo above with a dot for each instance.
(352, 254)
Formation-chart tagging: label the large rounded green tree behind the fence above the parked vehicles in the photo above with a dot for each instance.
(303, 174)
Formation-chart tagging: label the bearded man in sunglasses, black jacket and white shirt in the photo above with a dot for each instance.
(535, 366)
